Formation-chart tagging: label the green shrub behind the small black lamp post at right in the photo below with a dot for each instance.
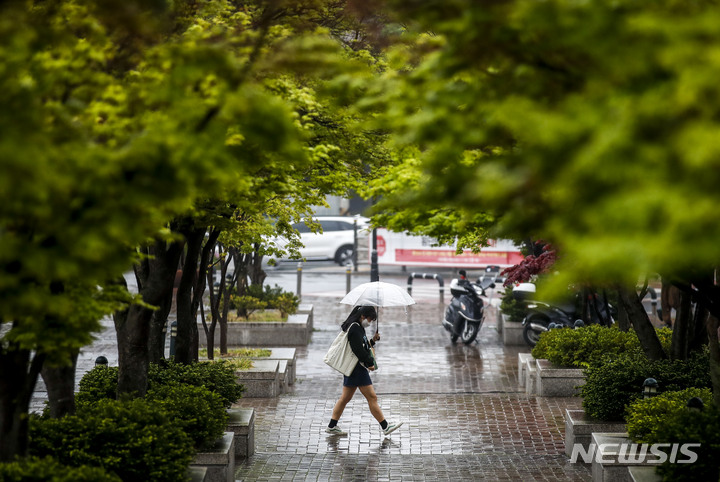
(616, 381)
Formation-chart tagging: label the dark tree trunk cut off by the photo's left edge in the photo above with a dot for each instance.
(18, 375)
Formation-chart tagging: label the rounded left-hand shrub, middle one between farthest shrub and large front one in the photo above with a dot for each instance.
(198, 411)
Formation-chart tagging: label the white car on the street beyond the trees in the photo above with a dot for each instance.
(336, 241)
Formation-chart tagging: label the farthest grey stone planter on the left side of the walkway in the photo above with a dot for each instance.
(293, 332)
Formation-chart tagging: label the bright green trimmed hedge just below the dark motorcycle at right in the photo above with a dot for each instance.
(582, 347)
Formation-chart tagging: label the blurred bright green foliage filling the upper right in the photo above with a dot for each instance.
(593, 124)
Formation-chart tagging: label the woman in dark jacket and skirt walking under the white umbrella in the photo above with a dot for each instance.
(359, 319)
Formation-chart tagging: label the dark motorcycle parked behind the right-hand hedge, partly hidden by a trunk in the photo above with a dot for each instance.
(541, 316)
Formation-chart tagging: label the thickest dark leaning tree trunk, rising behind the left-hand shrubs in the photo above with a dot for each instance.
(155, 274)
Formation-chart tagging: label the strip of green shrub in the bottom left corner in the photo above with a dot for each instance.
(34, 469)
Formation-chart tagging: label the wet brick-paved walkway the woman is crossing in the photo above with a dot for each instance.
(465, 418)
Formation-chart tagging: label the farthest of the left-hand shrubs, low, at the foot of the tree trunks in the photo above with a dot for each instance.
(218, 377)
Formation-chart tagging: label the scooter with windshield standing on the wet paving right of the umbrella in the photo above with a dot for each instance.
(466, 312)
